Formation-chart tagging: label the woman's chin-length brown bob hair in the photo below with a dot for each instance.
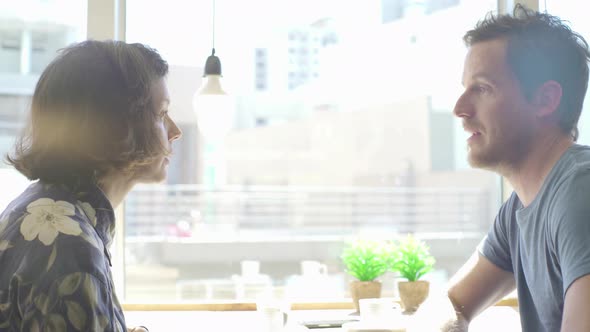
(92, 112)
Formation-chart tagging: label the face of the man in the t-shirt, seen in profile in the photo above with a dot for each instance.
(494, 110)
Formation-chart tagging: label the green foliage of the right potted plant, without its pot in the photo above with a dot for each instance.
(412, 258)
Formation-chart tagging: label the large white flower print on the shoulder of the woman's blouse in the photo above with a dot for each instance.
(47, 218)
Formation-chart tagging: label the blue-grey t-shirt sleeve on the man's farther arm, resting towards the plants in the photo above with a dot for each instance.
(496, 246)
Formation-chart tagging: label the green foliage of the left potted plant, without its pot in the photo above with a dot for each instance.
(366, 260)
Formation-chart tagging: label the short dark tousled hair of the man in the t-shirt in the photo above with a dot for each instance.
(541, 47)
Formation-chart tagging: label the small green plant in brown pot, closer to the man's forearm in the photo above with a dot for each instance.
(412, 261)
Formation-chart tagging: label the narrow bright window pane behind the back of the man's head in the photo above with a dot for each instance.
(570, 10)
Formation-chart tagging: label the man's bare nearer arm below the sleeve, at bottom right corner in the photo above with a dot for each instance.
(575, 308)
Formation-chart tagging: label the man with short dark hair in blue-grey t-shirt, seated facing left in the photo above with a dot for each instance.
(525, 78)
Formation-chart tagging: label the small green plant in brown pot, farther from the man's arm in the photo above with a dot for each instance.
(366, 261)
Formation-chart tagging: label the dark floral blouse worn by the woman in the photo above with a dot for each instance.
(54, 261)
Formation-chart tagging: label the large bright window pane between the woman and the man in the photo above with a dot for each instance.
(340, 127)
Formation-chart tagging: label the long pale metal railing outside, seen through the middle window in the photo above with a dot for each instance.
(177, 210)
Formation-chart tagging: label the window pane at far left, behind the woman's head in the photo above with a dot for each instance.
(31, 32)
